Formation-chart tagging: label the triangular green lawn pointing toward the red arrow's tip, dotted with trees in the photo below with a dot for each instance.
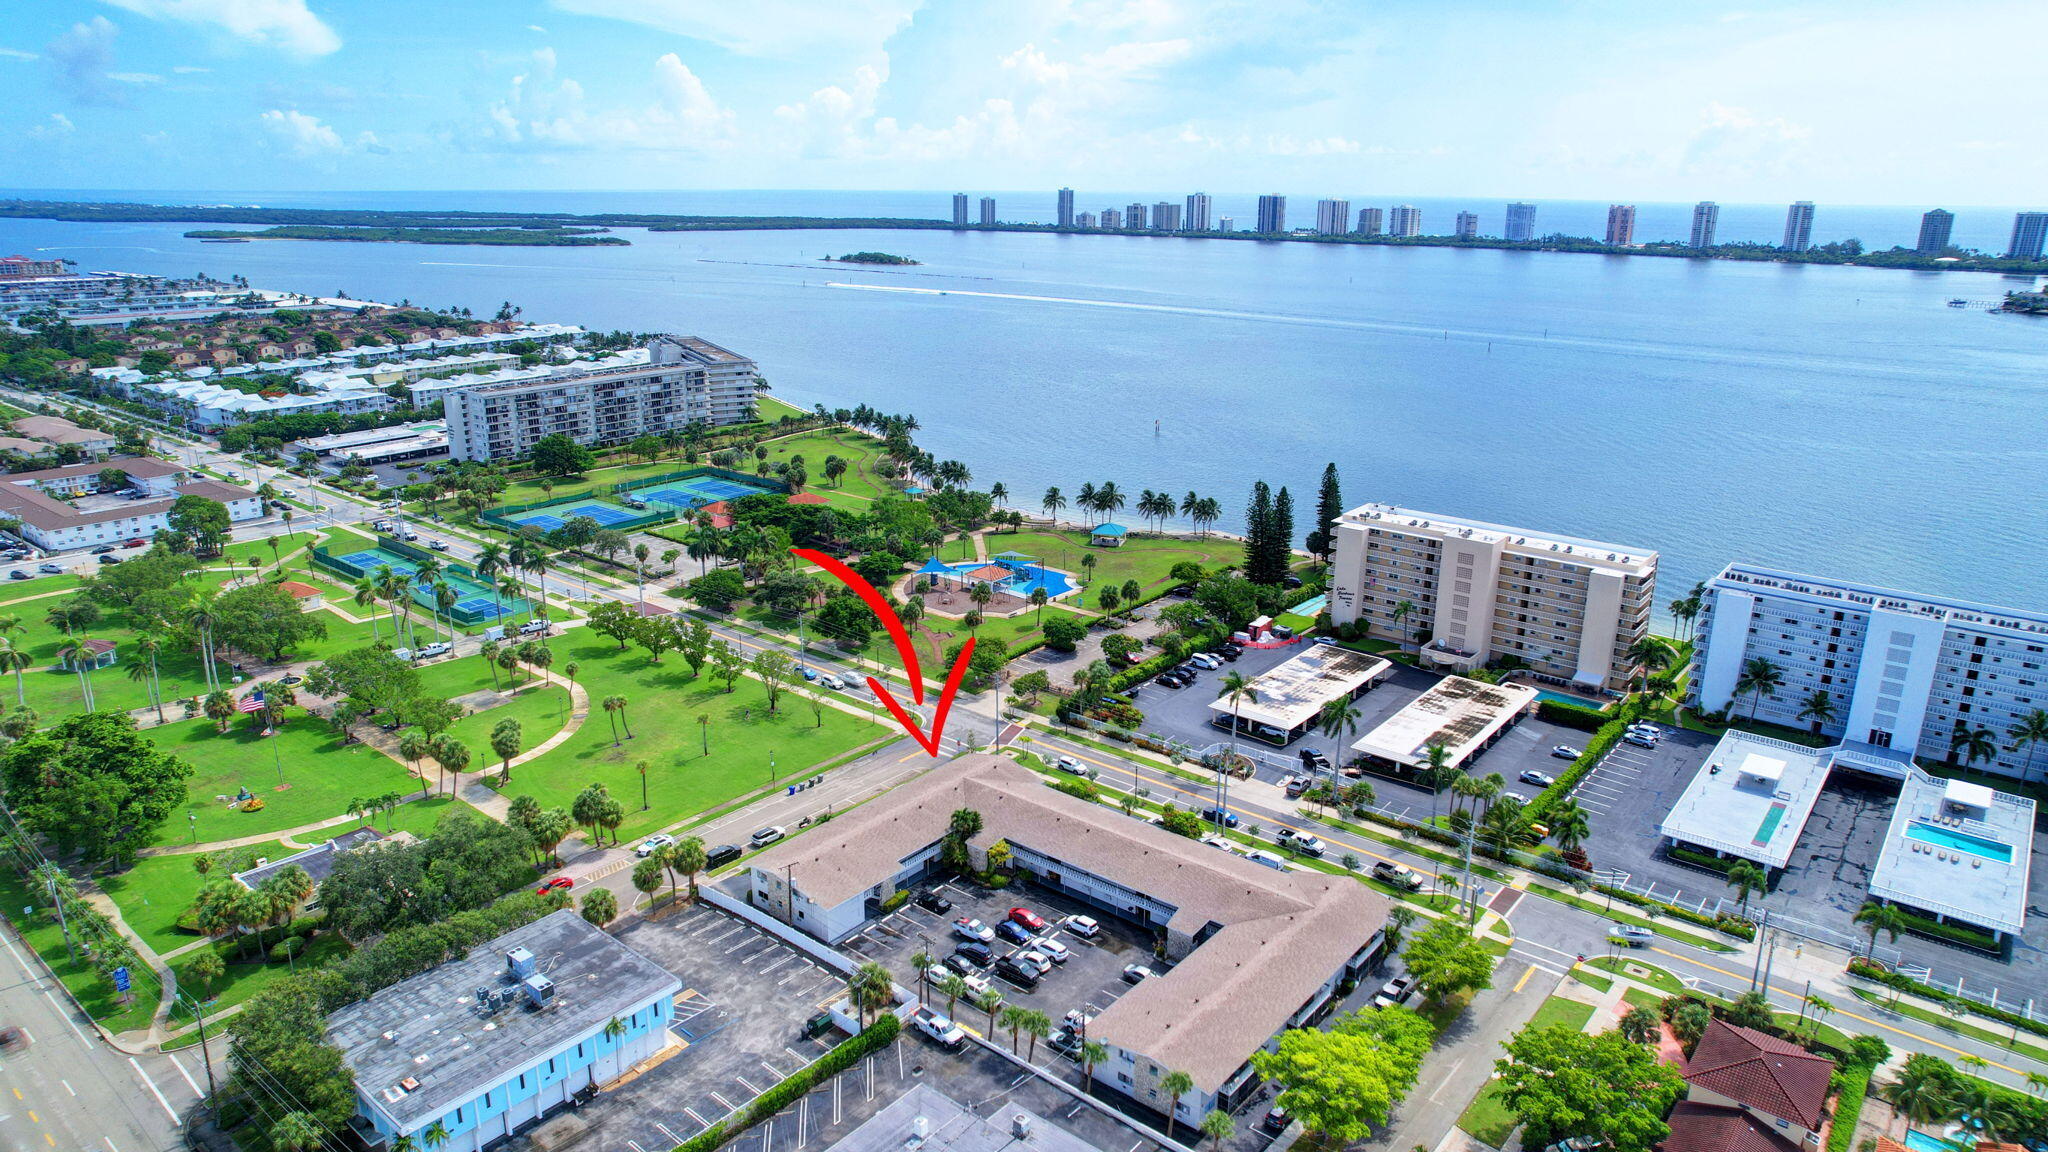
(663, 708)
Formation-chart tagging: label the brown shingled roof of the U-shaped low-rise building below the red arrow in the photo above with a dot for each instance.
(1279, 936)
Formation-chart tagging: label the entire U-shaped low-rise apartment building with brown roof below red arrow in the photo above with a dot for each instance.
(1252, 950)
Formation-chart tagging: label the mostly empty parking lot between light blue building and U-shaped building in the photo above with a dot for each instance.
(740, 1016)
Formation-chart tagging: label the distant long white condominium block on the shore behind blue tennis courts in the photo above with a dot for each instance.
(685, 382)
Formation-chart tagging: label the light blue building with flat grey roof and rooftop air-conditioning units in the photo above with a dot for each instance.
(488, 1044)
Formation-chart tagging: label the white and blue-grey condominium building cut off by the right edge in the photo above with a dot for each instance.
(1900, 669)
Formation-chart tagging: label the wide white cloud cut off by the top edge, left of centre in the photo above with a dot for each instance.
(765, 28)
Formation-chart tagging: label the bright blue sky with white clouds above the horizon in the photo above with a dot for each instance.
(1861, 101)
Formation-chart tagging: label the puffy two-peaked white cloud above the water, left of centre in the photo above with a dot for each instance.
(554, 112)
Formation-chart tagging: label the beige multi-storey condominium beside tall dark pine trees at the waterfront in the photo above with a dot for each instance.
(1478, 593)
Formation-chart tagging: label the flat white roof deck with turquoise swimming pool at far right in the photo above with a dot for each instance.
(1967, 862)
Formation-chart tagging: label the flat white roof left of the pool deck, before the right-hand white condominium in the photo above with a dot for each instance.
(1736, 809)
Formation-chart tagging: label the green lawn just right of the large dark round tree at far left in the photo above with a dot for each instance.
(323, 776)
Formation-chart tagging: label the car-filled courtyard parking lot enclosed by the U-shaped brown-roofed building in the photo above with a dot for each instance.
(1091, 981)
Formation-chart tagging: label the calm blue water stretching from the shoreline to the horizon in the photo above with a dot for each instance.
(1820, 419)
